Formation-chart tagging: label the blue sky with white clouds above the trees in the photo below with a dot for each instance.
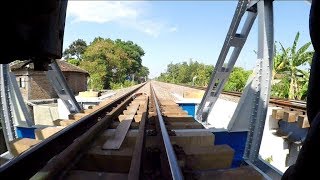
(177, 31)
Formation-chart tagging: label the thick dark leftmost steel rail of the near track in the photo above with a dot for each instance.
(31, 161)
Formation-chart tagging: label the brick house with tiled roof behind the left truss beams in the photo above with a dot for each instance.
(35, 84)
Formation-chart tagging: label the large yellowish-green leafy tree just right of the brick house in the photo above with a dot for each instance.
(119, 59)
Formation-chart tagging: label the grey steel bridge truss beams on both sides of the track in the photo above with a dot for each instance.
(250, 113)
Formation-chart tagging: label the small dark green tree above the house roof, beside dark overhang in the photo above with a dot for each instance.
(75, 49)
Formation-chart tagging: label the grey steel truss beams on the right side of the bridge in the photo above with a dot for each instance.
(251, 111)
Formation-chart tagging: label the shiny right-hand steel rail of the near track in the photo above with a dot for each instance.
(173, 163)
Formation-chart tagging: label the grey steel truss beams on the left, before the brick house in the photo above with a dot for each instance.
(14, 111)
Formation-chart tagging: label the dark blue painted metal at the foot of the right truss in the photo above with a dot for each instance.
(236, 140)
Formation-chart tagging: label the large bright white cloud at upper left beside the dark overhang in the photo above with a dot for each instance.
(127, 13)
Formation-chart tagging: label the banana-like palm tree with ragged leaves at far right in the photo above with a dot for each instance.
(292, 60)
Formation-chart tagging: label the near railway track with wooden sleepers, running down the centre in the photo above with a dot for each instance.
(141, 135)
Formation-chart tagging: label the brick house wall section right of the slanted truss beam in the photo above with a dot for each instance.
(76, 81)
